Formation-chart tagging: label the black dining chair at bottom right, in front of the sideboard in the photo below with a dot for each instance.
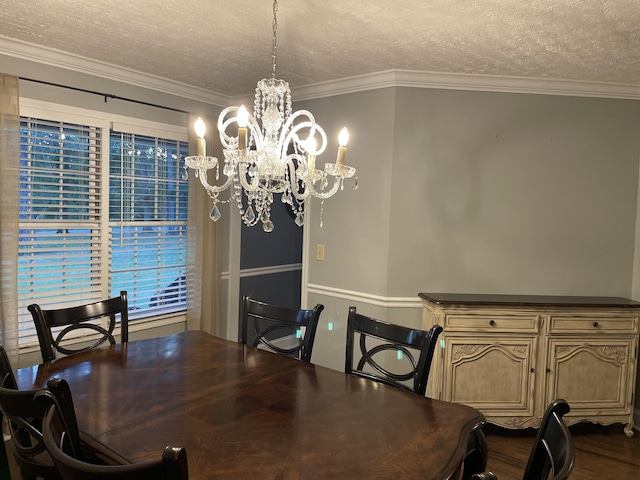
(553, 455)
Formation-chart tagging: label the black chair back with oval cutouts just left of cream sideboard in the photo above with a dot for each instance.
(376, 337)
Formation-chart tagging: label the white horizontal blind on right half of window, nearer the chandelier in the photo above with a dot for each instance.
(148, 222)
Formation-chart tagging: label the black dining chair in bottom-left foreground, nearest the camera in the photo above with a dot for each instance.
(76, 460)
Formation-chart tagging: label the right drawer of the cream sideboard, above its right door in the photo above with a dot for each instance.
(593, 324)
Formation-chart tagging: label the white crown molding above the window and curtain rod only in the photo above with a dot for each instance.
(59, 59)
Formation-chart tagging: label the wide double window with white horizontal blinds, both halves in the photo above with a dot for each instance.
(97, 220)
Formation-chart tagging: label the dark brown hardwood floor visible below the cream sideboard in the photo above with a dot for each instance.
(602, 452)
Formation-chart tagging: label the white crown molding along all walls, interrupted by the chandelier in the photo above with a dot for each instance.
(360, 83)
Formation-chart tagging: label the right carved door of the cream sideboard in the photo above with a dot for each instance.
(592, 374)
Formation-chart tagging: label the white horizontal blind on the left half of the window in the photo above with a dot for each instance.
(59, 259)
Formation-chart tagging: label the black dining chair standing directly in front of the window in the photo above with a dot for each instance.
(76, 318)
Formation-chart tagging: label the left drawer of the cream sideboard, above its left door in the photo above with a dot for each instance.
(491, 323)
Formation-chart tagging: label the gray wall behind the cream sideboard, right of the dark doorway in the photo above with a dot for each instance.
(479, 192)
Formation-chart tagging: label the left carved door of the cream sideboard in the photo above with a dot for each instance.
(494, 374)
